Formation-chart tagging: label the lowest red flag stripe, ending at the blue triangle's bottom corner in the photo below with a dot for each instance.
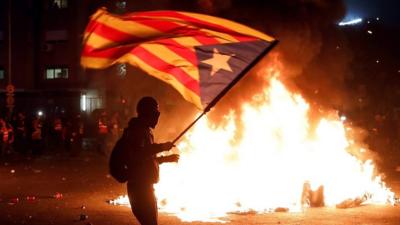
(161, 65)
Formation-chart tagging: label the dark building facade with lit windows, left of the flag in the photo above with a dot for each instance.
(40, 45)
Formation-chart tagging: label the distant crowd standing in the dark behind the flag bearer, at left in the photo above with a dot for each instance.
(36, 134)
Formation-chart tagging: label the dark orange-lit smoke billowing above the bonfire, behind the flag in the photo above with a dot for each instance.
(312, 49)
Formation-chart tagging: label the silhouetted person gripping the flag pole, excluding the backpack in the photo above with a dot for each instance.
(143, 163)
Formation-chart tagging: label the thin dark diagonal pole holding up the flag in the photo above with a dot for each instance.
(227, 88)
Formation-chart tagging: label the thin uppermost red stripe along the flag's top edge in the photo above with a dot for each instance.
(202, 23)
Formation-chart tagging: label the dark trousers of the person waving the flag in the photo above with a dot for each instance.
(143, 203)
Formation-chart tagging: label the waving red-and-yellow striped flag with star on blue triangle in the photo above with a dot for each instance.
(199, 55)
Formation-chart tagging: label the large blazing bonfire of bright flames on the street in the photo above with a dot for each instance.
(278, 152)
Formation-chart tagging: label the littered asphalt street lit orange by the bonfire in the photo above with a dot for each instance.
(63, 190)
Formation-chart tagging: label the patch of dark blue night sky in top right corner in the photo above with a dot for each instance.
(387, 10)
